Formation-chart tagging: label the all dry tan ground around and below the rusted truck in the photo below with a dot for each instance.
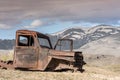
(95, 69)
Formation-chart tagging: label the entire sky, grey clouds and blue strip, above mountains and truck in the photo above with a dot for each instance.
(50, 16)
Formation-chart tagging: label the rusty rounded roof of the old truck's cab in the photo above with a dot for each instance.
(32, 32)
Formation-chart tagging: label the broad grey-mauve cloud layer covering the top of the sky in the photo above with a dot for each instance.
(12, 12)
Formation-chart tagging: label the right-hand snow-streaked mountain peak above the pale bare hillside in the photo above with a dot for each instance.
(100, 32)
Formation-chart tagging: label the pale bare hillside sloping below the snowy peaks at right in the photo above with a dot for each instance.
(109, 44)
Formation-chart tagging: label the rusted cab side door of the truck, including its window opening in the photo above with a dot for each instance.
(25, 52)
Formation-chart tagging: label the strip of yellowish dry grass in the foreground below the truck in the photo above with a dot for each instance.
(91, 73)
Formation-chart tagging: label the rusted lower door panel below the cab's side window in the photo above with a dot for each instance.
(26, 57)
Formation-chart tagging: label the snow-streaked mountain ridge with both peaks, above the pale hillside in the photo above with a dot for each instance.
(83, 36)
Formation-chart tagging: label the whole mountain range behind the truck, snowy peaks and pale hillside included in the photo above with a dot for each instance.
(101, 37)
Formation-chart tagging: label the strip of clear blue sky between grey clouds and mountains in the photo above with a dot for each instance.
(52, 28)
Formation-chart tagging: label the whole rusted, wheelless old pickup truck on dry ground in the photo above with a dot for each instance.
(34, 51)
